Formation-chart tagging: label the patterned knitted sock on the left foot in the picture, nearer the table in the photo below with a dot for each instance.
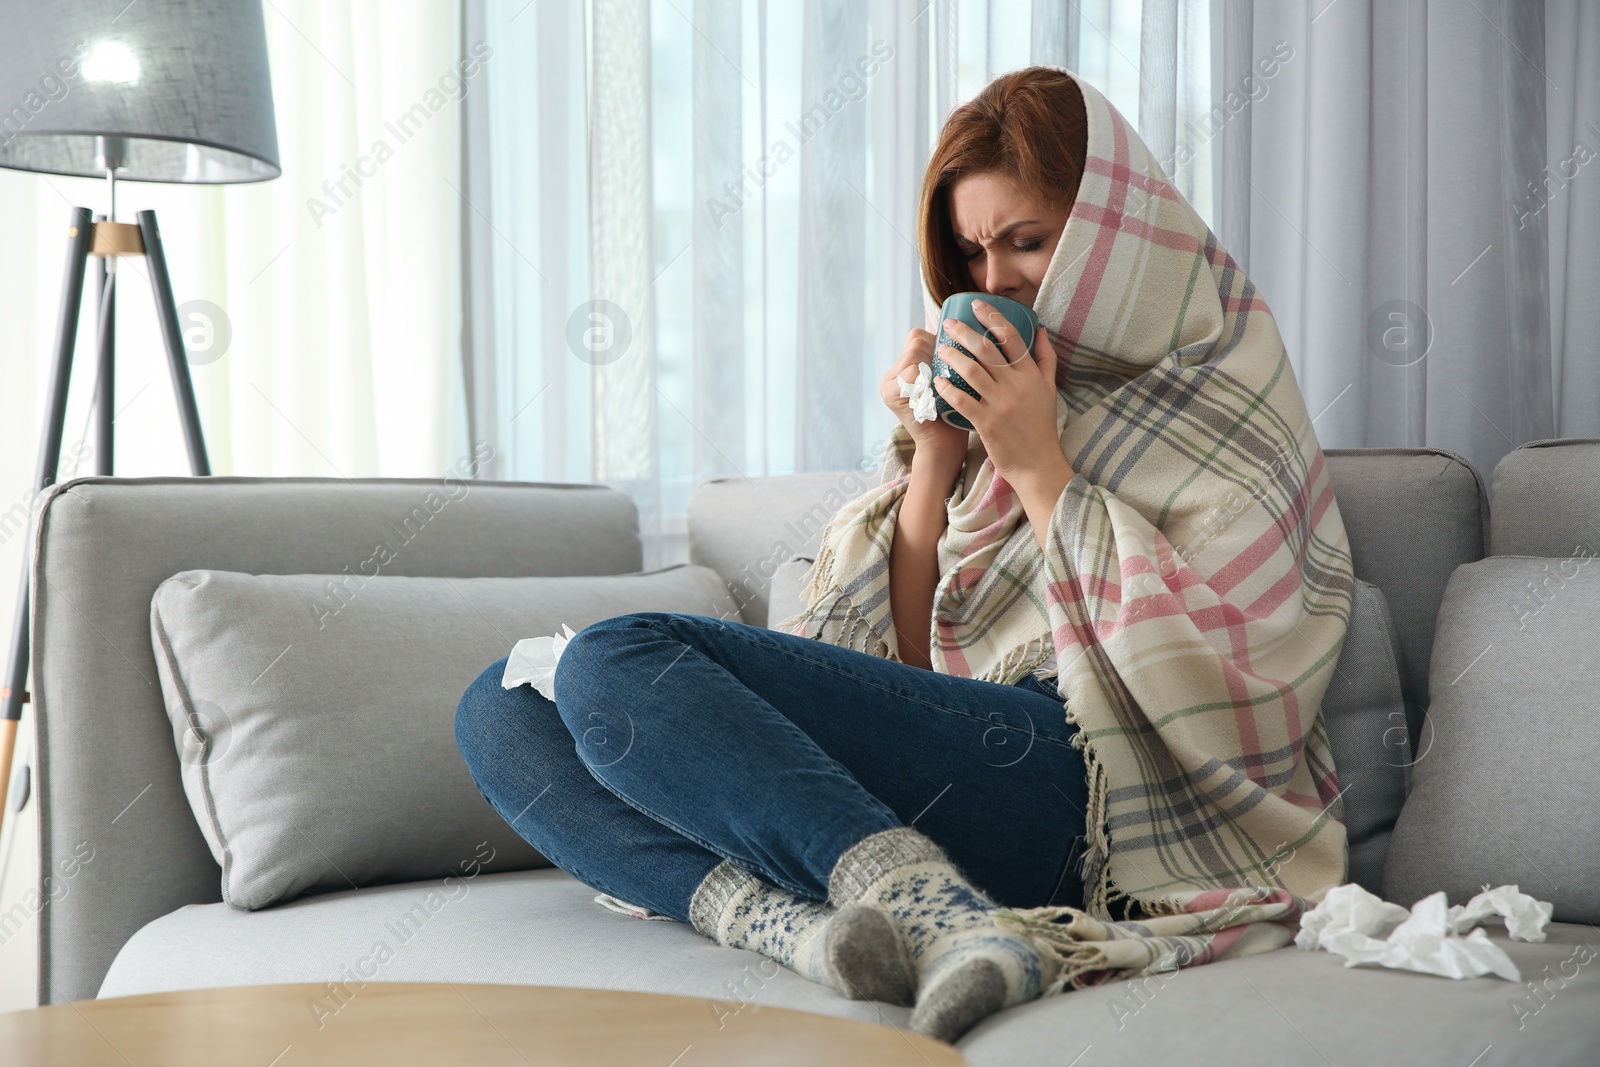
(857, 951)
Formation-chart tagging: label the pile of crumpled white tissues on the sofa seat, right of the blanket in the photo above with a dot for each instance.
(1428, 938)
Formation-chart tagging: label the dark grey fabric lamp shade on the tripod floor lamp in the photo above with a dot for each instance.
(178, 90)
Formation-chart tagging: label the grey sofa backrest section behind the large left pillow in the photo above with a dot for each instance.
(108, 770)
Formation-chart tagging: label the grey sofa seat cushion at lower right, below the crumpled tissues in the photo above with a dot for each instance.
(1306, 1009)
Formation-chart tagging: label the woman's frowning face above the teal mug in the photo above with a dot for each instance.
(1006, 236)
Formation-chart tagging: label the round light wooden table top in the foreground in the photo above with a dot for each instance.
(399, 1025)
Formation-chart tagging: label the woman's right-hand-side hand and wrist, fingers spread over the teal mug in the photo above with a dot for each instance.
(1017, 417)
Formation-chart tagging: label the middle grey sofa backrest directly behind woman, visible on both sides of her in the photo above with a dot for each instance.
(1414, 516)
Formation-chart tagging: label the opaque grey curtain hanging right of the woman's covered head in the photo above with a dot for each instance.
(1378, 191)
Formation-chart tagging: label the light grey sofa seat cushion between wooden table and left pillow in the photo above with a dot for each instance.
(524, 929)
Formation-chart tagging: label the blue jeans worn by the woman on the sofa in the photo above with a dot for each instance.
(678, 741)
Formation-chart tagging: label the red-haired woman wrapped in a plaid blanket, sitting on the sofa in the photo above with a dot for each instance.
(866, 791)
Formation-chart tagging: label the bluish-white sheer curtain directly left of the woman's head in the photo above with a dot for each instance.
(698, 250)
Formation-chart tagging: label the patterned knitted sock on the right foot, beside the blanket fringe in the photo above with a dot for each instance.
(967, 967)
